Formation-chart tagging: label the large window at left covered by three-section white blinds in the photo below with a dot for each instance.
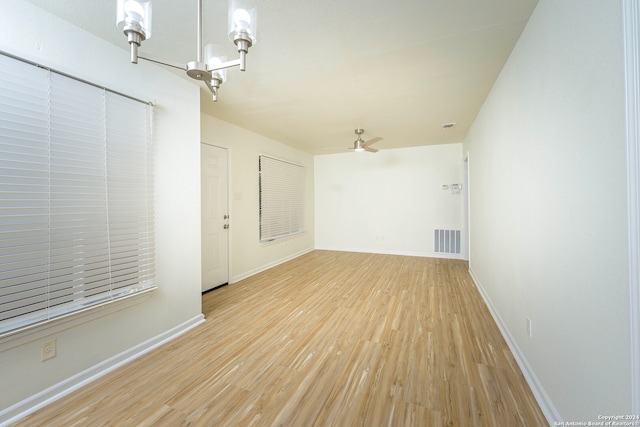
(76, 195)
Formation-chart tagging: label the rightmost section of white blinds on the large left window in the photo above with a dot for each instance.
(130, 193)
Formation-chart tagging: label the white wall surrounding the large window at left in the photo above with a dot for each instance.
(28, 32)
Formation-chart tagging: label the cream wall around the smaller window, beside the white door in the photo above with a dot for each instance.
(247, 255)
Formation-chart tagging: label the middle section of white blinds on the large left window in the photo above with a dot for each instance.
(79, 268)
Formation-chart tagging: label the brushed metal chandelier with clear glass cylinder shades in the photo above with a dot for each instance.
(134, 20)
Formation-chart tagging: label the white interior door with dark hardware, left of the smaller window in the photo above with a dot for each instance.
(215, 217)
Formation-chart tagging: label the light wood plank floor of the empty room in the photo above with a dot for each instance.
(328, 339)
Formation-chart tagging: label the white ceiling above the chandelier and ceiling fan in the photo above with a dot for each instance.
(321, 68)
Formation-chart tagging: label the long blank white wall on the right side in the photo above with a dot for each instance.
(548, 206)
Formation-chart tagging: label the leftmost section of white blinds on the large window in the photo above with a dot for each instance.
(24, 189)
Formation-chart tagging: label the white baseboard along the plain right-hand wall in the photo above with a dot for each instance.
(546, 405)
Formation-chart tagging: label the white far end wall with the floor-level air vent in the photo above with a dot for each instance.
(388, 202)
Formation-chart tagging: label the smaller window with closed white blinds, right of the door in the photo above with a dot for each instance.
(281, 198)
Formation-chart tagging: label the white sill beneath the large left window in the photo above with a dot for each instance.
(16, 338)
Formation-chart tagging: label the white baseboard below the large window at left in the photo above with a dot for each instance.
(57, 391)
